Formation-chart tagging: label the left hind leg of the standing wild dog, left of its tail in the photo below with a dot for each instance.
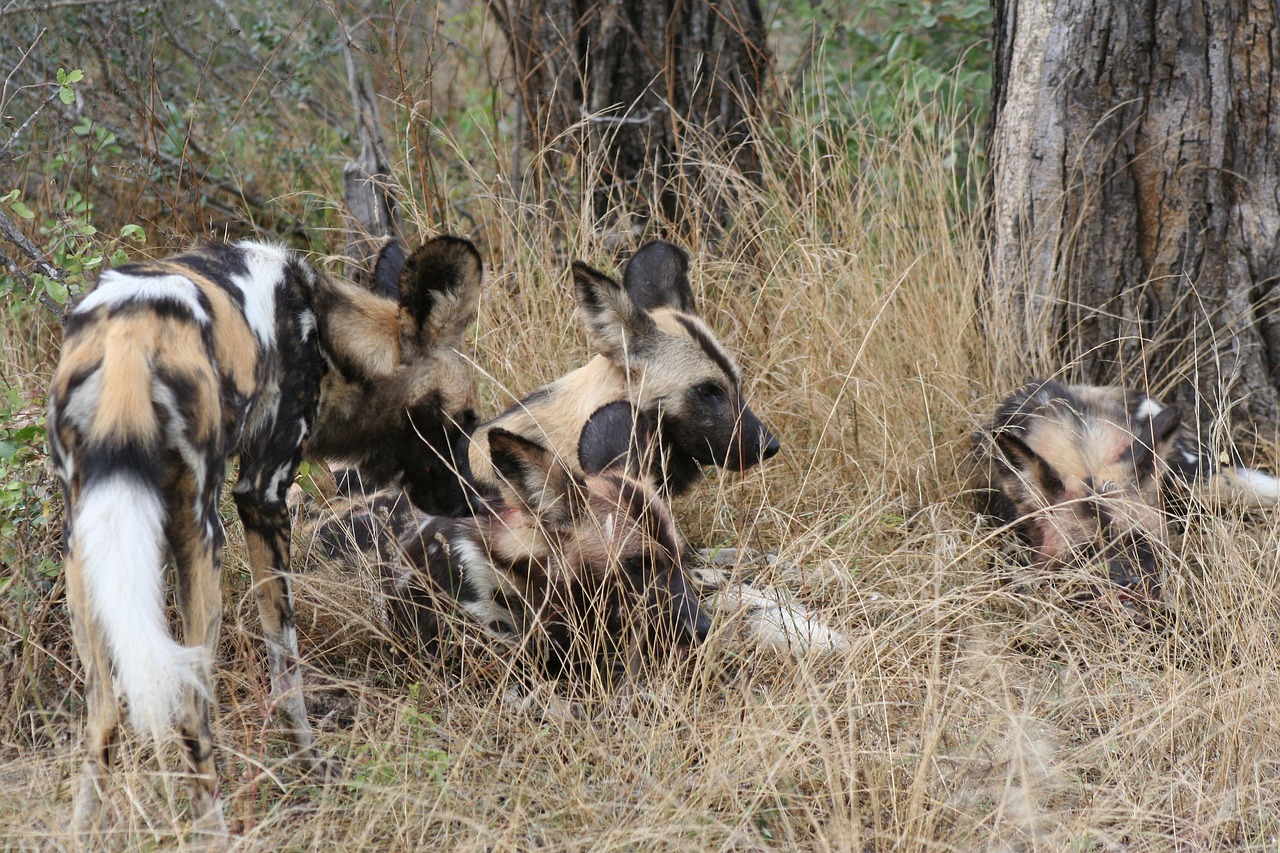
(104, 711)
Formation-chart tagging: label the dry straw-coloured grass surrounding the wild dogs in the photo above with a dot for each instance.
(972, 713)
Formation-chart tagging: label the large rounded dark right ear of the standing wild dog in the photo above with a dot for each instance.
(440, 289)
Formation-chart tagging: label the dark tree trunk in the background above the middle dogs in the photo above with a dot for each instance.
(639, 84)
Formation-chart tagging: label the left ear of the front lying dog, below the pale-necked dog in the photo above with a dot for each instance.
(531, 477)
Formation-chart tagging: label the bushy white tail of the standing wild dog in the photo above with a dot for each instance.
(120, 540)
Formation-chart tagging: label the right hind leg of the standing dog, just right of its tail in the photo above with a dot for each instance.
(196, 544)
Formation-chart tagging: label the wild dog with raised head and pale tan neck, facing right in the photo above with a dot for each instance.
(661, 393)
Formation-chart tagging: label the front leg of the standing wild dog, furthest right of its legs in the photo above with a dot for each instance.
(267, 533)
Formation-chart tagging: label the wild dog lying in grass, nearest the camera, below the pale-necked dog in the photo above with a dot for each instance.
(586, 573)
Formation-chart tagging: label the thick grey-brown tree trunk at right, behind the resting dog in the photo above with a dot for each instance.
(1136, 186)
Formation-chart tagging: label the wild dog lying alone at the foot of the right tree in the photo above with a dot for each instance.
(1086, 476)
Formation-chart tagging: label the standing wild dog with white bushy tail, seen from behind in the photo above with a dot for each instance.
(172, 367)
